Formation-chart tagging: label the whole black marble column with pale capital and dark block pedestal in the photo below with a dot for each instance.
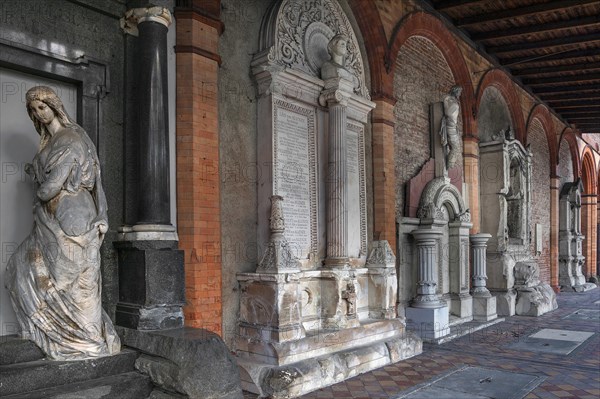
(151, 267)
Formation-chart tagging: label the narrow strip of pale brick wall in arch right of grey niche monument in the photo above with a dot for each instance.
(540, 195)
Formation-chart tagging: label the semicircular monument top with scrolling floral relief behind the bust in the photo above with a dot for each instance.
(296, 33)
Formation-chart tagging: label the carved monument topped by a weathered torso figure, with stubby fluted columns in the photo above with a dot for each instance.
(434, 238)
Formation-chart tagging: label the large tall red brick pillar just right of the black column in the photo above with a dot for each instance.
(198, 206)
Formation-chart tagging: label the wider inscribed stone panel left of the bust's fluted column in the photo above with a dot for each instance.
(295, 174)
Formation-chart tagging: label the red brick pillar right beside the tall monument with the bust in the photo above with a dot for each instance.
(384, 172)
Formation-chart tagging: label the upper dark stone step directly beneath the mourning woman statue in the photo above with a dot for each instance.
(40, 374)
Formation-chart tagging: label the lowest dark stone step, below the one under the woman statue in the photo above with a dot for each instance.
(123, 386)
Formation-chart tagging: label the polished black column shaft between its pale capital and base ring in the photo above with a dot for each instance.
(154, 201)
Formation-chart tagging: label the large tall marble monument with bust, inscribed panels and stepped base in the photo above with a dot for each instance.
(318, 309)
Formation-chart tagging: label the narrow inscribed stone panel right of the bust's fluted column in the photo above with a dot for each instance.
(357, 240)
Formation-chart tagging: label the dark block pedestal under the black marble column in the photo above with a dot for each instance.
(151, 285)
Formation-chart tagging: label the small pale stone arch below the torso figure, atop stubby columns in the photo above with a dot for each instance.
(438, 193)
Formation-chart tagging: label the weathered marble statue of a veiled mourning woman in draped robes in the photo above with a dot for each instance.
(54, 276)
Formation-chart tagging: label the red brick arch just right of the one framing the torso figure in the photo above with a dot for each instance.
(498, 79)
